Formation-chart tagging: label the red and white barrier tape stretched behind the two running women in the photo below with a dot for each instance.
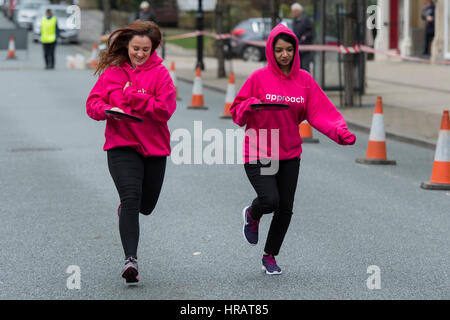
(355, 49)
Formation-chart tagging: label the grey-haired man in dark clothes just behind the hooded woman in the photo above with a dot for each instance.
(303, 30)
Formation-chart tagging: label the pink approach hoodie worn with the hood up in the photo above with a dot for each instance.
(306, 101)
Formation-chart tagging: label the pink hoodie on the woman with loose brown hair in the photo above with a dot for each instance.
(151, 97)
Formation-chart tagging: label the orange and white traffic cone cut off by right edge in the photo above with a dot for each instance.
(440, 176)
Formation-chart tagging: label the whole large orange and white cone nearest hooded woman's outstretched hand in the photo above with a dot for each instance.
(376, 149)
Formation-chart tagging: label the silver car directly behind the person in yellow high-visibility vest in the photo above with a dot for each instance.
(68, 32)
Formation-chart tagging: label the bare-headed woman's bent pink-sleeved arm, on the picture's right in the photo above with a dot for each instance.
(160, 106)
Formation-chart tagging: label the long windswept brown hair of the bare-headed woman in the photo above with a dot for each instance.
(116, 51)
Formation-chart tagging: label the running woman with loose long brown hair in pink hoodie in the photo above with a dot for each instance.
(133, 80)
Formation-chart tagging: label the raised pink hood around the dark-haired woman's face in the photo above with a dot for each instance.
(272, 63)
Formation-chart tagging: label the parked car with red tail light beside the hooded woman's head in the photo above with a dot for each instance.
(253, 29)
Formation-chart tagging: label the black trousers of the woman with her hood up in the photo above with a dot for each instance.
(275, 193)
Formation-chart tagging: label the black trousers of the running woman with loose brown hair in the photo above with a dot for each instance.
(138, 181)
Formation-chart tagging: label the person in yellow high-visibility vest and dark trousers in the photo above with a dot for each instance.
(49, 37)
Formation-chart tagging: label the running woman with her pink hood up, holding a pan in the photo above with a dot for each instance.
(274, 135)
